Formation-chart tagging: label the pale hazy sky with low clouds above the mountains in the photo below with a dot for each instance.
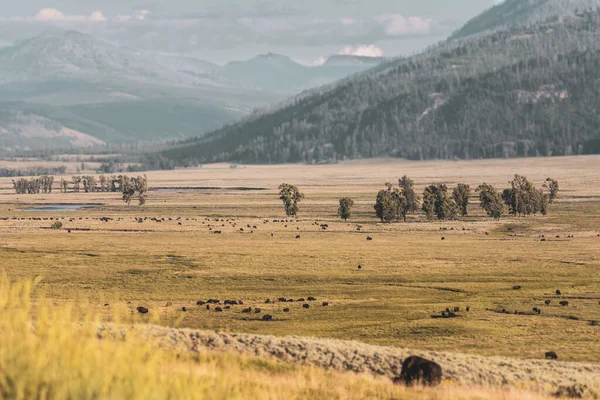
(225, 30)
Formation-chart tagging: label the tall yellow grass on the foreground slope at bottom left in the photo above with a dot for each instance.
(62, 355)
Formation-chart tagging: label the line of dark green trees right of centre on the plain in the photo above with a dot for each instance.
(439, 202)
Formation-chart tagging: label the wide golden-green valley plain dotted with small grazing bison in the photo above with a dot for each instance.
(408, 273)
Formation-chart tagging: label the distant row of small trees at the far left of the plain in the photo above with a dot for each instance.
(130, 187)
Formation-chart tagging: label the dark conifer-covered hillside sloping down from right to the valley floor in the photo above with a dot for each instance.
(531, 90)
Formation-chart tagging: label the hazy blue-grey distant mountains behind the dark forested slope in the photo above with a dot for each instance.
(63, 89)
